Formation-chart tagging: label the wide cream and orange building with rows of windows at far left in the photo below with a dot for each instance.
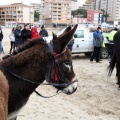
(18, 13)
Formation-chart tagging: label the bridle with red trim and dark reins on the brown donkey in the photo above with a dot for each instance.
(57, 77)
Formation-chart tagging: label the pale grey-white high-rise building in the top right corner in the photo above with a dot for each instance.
(112, 7)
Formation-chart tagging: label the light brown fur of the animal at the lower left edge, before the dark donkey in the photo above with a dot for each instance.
(3, 97)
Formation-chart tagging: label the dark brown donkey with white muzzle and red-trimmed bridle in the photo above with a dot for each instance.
(35, 61)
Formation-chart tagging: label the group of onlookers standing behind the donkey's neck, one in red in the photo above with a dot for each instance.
(18, 36)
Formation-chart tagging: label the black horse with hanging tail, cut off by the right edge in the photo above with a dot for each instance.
(115, 61)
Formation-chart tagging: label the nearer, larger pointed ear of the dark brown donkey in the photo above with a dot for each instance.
(65, 39)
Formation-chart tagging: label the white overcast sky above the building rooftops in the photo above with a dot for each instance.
(6, 2)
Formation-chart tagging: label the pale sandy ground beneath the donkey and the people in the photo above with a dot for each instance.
(97, 96)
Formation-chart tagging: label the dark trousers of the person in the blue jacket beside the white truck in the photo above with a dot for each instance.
(96, 54)
